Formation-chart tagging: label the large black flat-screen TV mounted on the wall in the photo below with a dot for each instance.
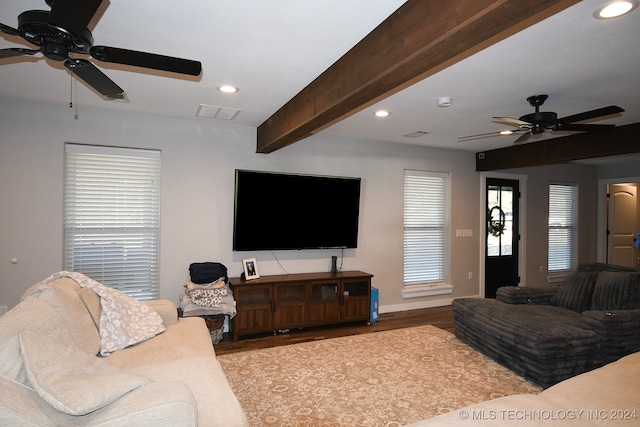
(291, 211)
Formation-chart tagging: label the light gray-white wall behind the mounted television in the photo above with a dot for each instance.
(199, 157)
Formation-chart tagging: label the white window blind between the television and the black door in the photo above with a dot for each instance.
(425, 227)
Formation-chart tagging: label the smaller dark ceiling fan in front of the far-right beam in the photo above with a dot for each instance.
(541, 121)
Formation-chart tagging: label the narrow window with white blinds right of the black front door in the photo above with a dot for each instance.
(562, 227)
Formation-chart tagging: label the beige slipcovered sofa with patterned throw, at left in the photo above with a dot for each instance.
(52, 373)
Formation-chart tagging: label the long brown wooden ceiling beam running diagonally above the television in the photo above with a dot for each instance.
(419, 39)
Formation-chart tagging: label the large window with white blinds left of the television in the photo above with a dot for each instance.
(112, 217)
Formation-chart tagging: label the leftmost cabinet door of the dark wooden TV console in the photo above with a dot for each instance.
(254, 305)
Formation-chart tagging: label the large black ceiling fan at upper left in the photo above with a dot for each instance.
(63, 32)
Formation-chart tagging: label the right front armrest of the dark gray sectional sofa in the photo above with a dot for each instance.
(618, 330)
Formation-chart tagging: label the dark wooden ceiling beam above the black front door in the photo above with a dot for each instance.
(620, 140)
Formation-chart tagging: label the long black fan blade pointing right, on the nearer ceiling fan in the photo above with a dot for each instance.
(146, 60)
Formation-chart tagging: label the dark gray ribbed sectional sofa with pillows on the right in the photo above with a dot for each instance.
(551, 333)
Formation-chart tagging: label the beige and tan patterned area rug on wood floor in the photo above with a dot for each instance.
(388, 378)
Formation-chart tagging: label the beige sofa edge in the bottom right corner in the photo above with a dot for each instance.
(607, 396)
